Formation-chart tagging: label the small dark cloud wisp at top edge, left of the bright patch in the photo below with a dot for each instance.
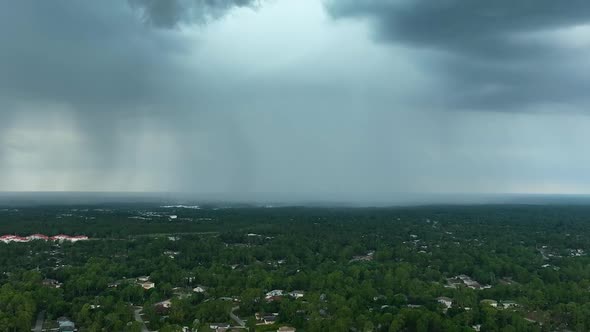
(169, 13)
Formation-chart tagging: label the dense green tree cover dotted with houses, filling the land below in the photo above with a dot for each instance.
(359, 269)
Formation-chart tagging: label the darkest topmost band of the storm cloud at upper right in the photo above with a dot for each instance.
(480, 28)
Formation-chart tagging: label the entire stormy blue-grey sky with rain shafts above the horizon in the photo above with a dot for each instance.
(335, 98)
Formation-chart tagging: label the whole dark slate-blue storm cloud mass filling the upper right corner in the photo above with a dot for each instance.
(482, 49)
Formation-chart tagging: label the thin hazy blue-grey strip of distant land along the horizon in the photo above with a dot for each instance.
(19, 199)
